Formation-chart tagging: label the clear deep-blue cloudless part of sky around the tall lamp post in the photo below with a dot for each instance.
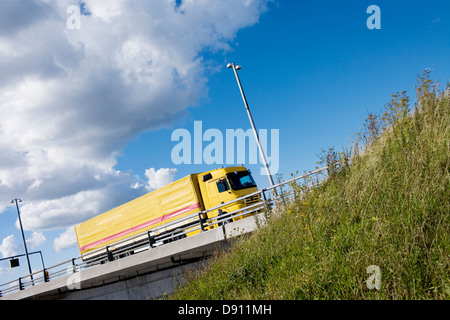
(314, 71)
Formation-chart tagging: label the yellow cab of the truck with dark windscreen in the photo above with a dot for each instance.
(226, 184)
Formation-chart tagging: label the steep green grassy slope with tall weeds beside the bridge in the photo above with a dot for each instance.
(388, 205)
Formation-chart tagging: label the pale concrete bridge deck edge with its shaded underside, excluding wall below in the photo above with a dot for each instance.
(148, 261)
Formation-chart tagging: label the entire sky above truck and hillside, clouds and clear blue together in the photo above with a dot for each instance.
(313, 70)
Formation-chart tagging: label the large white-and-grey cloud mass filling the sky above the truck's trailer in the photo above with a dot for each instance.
(71, 100)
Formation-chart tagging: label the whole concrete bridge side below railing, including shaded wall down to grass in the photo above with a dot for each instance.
(145, 275)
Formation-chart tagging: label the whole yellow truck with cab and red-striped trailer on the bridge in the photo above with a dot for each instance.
(174, 202)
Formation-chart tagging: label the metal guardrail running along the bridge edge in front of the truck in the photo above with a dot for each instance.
(264, 200)
